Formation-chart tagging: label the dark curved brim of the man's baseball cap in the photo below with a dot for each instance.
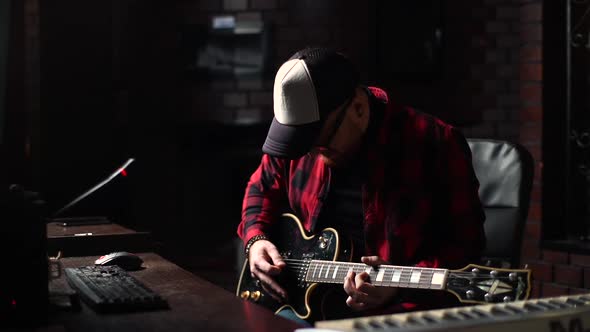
(289, 141)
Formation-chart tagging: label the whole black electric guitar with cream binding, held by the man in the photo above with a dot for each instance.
(316, 261)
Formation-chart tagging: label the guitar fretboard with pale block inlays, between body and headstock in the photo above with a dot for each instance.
(384, 275)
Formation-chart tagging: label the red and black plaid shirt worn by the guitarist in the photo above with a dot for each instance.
(420, 201)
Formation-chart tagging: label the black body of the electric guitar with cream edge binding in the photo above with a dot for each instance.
(312, 301)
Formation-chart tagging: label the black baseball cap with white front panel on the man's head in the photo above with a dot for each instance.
(307, 87)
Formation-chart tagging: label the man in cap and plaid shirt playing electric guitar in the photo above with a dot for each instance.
(397, 181)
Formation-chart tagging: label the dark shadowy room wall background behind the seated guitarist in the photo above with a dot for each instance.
(91, 83)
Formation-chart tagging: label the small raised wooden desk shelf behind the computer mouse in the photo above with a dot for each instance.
(95, 239)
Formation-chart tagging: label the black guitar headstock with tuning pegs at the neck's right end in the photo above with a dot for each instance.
(483, 284)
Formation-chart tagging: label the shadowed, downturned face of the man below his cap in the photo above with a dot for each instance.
(342, 133)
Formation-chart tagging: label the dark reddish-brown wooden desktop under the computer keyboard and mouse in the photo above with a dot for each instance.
(195, 305)
